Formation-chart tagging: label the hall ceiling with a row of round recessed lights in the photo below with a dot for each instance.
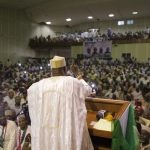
(57, 11)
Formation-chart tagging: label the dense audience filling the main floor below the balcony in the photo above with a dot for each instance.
(119, 79)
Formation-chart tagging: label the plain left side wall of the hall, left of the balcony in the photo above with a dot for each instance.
(14, 35)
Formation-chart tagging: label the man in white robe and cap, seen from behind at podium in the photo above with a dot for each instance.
(57, 110)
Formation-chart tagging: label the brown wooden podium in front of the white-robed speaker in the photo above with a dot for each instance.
(102, 139)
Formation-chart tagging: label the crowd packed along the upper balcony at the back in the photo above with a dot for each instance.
(90, 35)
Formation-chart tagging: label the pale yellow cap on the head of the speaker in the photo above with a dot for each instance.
(57, 62)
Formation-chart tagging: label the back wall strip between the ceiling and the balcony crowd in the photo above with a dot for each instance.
(139, 24)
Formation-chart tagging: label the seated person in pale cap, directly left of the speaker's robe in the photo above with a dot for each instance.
(23, 134)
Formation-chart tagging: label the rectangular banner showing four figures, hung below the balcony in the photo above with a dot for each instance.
(100, 48)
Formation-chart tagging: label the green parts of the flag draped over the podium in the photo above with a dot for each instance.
(131, 141)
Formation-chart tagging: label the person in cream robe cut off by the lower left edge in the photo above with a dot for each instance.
(7, 132)
